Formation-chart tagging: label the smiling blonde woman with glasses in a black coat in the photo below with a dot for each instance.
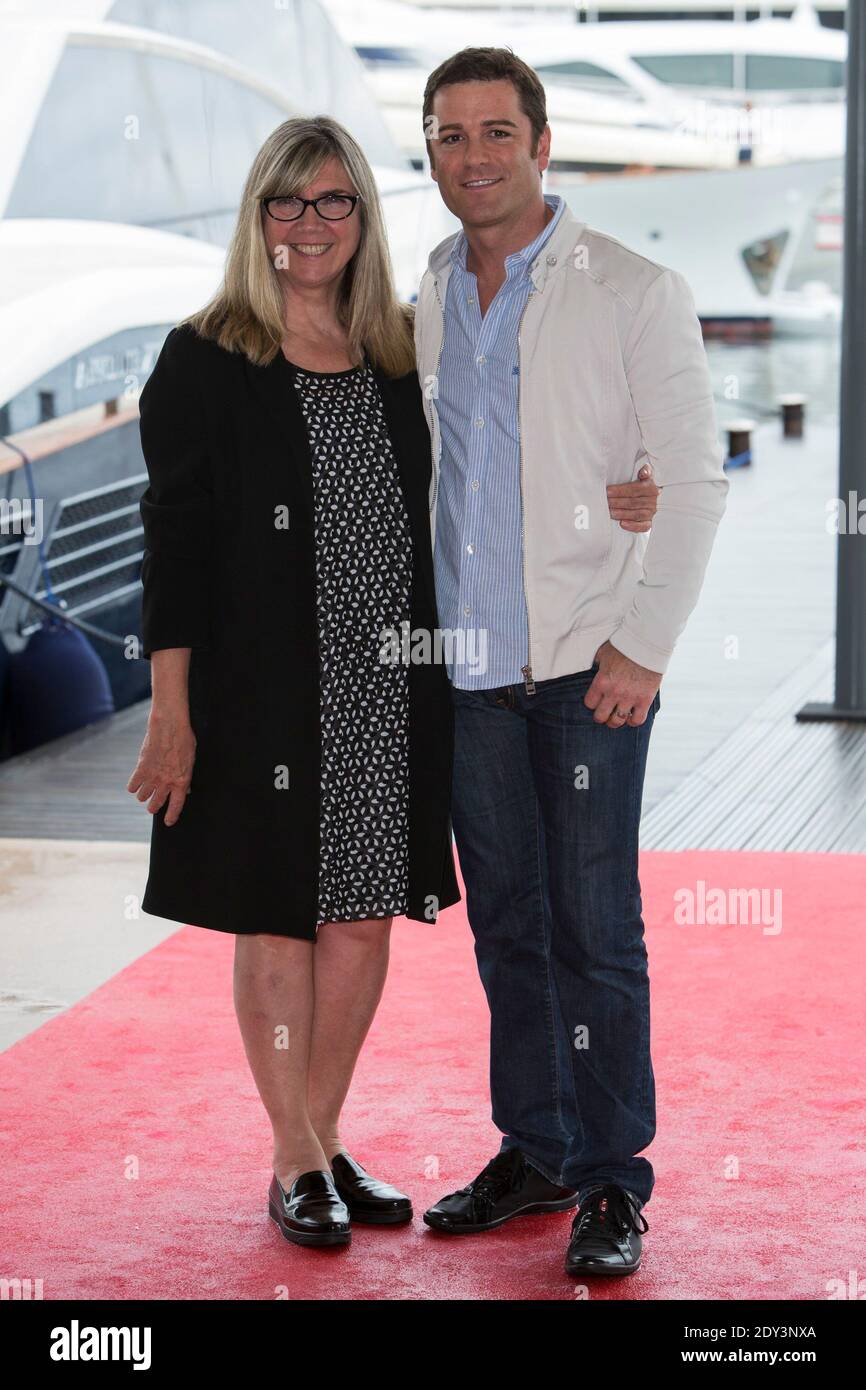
(298, 775)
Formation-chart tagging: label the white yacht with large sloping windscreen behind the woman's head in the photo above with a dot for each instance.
(198, 77)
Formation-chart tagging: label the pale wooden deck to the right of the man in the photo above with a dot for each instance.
(729, 765)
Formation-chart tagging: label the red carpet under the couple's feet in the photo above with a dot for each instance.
(758, 1060)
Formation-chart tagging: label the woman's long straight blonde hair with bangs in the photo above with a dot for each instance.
(247, 313)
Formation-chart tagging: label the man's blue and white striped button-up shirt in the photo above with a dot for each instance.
(479, 551)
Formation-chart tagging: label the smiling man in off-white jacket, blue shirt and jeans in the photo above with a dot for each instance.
(557, 362)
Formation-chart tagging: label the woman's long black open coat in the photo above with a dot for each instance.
(226, 448)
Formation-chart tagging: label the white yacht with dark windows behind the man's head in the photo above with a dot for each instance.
(629, 97)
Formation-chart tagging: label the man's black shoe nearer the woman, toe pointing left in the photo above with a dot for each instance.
(509, 1186)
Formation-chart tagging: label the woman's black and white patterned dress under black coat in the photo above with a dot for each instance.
(363, 584)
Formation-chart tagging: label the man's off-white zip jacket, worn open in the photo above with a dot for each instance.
(612, 373)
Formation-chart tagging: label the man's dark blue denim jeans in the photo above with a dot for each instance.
(546, 814)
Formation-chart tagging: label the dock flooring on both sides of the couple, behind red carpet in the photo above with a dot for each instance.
(729, 765)
